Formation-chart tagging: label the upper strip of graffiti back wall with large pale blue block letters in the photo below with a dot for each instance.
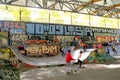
(50, 31)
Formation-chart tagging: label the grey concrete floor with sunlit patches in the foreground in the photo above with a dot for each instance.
(90, 72)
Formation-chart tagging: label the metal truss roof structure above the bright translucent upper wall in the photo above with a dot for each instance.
(105, 8)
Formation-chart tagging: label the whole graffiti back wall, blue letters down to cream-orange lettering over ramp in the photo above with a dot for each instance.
(53, 36)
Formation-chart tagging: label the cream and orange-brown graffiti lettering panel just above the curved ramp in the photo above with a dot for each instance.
(42, 50)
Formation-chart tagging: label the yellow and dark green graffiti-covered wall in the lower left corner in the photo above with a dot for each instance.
(8, 65)
